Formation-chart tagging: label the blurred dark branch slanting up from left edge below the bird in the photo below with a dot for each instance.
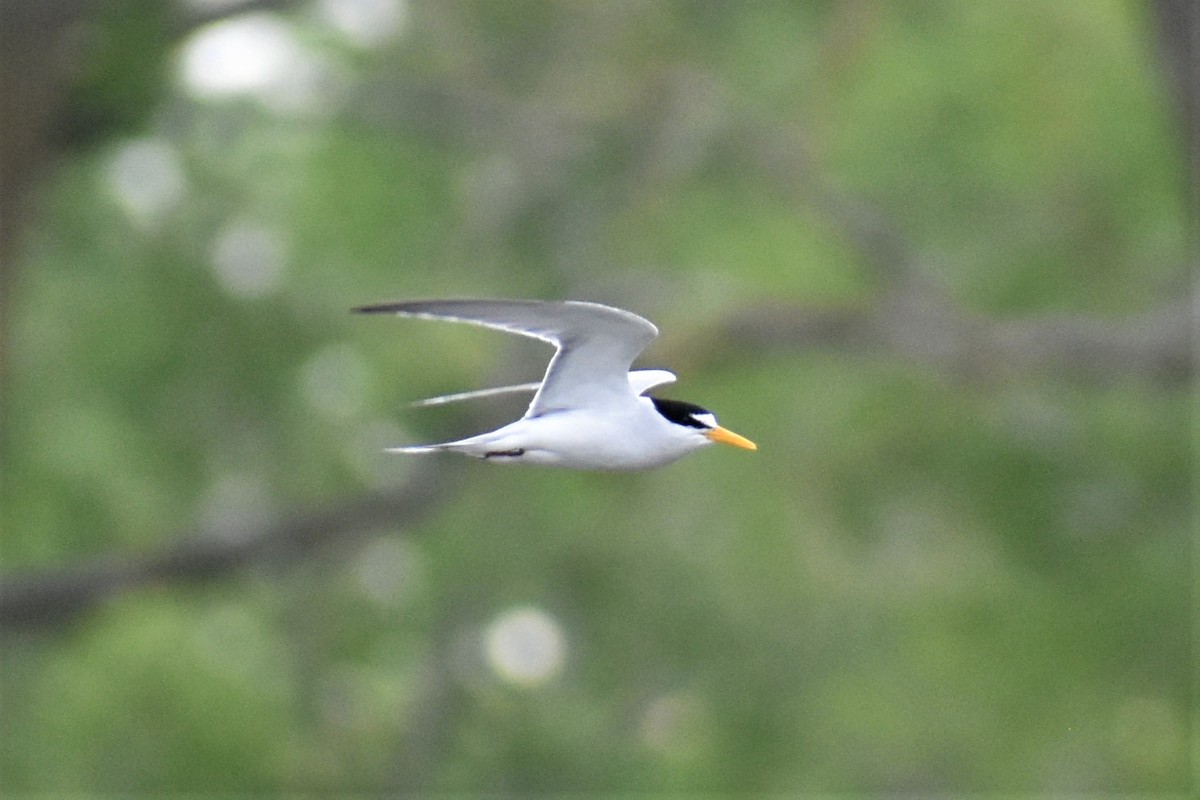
(59, 596)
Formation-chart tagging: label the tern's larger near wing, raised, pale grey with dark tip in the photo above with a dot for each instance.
(597, 345)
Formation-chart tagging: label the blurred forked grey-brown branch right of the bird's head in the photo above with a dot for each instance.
(916, 320)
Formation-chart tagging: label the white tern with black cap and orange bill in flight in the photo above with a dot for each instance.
(590, 411)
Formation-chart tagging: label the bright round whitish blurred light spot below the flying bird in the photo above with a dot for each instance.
(526, 647)
